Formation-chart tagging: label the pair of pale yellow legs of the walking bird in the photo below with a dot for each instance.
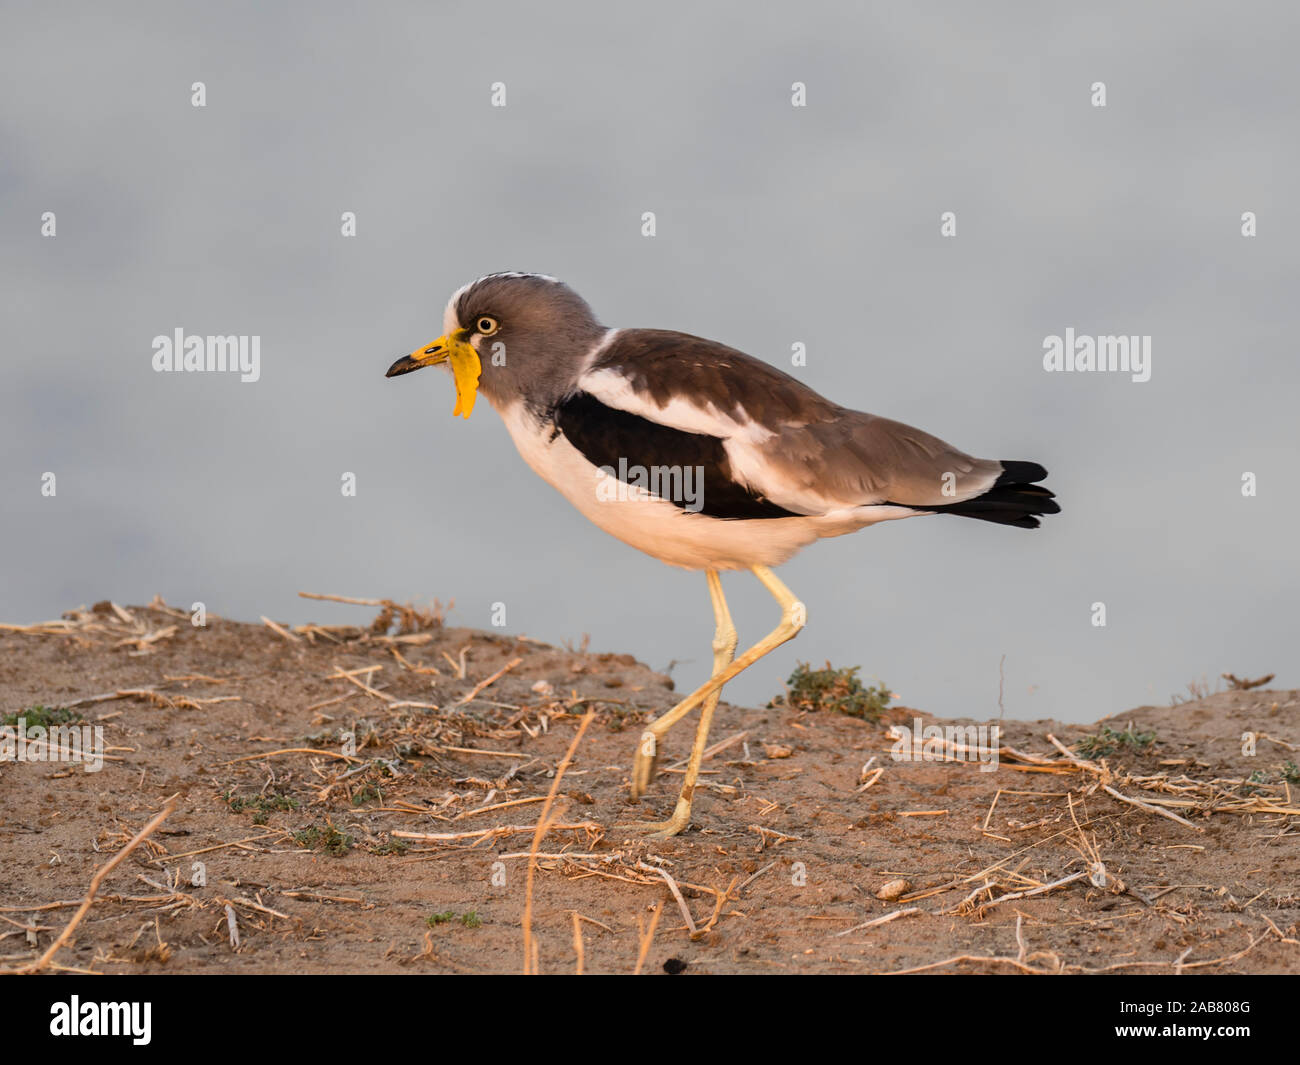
(794, 618)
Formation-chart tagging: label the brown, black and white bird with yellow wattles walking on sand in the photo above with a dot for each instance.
(701, 457)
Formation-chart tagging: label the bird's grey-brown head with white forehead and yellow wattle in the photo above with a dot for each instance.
(513, 336)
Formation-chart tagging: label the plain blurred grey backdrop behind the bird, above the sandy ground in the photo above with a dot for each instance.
(774, 226)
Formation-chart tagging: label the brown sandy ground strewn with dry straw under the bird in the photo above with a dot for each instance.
(792, 842)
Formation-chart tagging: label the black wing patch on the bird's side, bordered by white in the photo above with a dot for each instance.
(623, 441)
